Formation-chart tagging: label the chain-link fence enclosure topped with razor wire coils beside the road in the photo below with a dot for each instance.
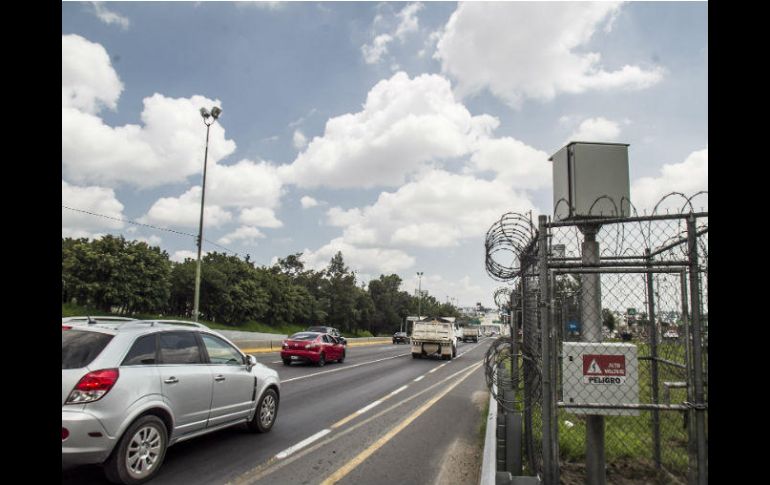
(638, 285)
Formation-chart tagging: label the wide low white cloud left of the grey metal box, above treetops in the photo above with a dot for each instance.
(439, 209)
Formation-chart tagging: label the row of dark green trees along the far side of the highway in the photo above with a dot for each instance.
(114, 276)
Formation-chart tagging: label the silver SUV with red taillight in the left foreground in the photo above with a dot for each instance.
(132, 389)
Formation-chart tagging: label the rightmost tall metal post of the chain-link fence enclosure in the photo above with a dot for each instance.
(700, 418)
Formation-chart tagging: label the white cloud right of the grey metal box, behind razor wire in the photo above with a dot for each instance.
(688, 178)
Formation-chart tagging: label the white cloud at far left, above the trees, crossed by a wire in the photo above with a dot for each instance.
(97, 200)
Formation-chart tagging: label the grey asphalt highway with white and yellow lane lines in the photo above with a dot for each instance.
(381, 417)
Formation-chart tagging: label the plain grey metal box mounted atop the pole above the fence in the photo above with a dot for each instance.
(590, 180)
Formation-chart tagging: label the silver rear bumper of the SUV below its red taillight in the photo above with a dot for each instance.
(88, 442)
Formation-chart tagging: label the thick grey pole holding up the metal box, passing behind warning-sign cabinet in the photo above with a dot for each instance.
(591, 316)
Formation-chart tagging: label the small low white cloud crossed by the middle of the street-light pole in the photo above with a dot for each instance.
(184, 211)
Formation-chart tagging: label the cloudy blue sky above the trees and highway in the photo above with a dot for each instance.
(394, 132)
